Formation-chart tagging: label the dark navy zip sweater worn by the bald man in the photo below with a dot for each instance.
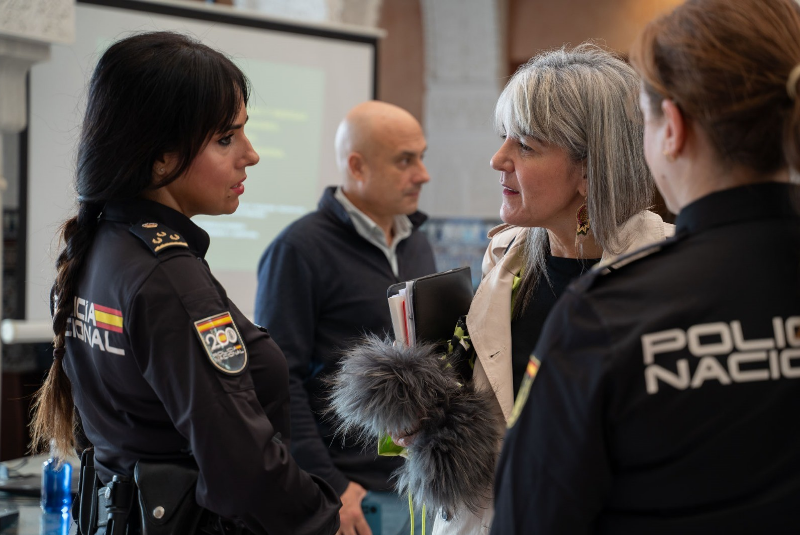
(321, 286)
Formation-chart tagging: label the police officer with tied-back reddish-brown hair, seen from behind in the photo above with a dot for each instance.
(669, 384)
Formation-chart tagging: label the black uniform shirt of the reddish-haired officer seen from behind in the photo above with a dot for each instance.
(667, 395)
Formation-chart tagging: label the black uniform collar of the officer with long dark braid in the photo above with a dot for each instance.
(141, 210)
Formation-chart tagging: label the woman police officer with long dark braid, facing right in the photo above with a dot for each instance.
(160, 364)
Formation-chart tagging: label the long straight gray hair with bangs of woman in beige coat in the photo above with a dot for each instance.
(584, 101)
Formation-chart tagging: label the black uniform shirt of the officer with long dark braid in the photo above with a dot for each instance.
(163, 364)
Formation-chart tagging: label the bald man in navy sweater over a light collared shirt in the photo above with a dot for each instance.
(322, 285)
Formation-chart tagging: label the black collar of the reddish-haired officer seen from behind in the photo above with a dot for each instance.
(772, 200)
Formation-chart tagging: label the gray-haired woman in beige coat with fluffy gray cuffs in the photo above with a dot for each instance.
(575, 192)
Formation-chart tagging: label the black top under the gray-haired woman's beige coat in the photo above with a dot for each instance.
(526, 328)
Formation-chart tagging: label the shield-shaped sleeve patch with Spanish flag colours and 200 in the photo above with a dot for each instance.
(223, 343)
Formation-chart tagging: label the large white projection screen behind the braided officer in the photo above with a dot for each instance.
(304, 78)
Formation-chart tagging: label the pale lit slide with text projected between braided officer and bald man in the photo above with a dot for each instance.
(285, 128)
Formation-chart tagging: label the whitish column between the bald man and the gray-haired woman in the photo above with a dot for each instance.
(465, 61)
